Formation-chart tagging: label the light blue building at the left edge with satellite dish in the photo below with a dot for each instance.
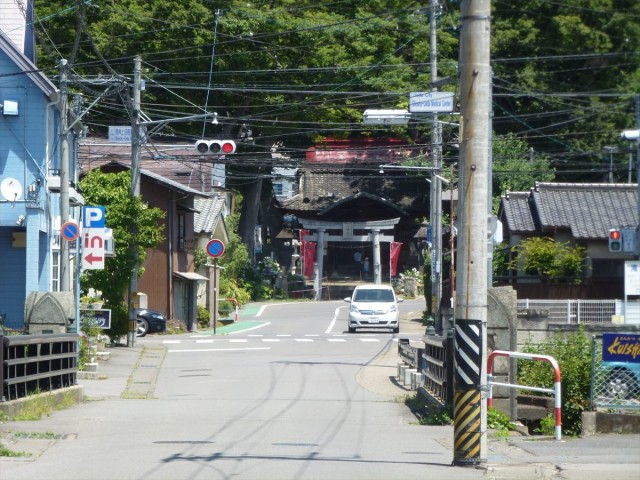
(29, 153)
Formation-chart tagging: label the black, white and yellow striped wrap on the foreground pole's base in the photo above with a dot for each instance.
(467, 395)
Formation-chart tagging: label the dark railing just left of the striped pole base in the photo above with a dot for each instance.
(438, 369)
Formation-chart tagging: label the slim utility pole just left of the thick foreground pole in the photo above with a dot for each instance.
(436, 185)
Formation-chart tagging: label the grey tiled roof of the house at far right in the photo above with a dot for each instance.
(587, 210)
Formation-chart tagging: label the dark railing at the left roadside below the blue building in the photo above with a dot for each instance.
(37, 363)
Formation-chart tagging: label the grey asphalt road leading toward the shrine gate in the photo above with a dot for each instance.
(280, 400)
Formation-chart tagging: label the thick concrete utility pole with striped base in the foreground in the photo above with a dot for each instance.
(470, 380)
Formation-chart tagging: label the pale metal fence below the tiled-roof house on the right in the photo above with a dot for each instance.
(573, 311)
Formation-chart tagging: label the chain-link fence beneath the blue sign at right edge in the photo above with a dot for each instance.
(613, 385)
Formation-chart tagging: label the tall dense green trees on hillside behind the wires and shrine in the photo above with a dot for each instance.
(293, 71)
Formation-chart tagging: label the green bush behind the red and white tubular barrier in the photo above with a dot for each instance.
(573, 354)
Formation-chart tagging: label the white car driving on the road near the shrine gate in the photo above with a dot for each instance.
(373, 306)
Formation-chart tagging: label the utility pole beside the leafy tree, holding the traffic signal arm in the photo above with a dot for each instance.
(134, 193)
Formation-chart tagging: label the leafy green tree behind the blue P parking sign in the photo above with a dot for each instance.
(123, 215)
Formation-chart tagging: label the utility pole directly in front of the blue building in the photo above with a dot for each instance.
(65, 284)
